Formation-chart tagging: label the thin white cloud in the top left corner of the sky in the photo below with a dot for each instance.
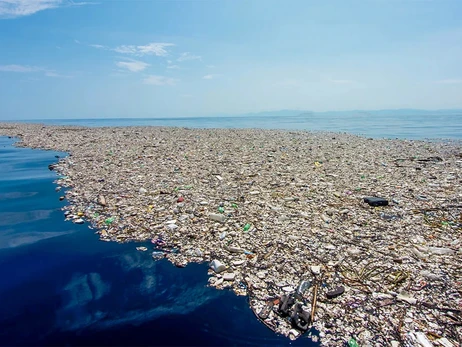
(21, 8)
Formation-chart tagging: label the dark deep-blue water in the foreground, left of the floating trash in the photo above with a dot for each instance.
(60, 285)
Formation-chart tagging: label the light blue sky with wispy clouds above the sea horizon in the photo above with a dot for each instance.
(155, 58)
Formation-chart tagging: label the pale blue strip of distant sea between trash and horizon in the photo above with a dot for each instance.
(387, 125)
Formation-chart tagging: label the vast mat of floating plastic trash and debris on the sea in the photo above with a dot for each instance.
(356, 238)
